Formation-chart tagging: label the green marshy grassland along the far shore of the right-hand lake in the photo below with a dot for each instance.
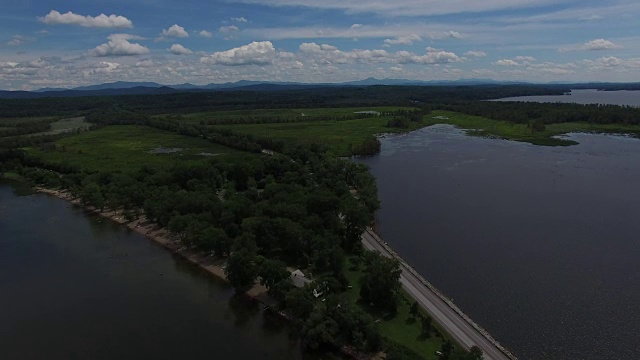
(520, 132)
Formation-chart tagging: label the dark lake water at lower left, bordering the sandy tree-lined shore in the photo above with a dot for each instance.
(74, 286)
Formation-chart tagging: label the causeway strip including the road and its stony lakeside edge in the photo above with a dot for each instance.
(458, 325)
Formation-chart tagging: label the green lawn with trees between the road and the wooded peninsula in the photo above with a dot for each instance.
(399, 328)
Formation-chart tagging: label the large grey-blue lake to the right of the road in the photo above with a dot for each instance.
(539, 245)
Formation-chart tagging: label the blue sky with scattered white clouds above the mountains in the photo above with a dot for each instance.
(64, 44)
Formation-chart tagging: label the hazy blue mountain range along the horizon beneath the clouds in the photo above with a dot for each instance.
(145, 88)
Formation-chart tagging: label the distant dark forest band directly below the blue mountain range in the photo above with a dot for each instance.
(307, 98)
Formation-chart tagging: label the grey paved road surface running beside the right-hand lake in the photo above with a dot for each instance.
(452, 322)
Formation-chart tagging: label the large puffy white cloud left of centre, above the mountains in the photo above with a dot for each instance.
(256, 53)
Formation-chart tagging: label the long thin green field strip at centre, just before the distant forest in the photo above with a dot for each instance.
(294, 114)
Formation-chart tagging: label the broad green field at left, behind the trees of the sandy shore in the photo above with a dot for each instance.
(127, 147)
